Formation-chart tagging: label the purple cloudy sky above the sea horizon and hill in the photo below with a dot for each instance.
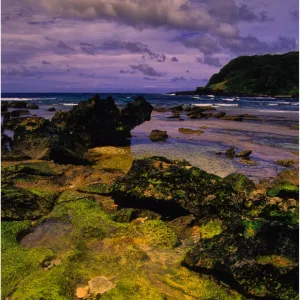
(121, 46)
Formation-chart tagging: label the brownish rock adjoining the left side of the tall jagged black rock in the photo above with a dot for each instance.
(38, 138)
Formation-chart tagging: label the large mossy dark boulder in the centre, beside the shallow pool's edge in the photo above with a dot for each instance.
(174, 188)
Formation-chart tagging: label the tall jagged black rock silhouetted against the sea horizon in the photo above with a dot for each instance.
(100, 122)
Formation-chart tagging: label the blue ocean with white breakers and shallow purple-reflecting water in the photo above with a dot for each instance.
(272, 136)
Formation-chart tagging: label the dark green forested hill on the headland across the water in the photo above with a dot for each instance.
(258, 74)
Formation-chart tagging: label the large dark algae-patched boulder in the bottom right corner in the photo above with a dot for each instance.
(263, 263)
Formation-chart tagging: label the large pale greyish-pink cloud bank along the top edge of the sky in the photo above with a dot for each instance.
(179, 14)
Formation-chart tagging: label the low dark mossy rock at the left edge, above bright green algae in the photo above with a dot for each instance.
(21, 204)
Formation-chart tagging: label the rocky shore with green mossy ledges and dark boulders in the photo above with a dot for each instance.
(83, 219)
